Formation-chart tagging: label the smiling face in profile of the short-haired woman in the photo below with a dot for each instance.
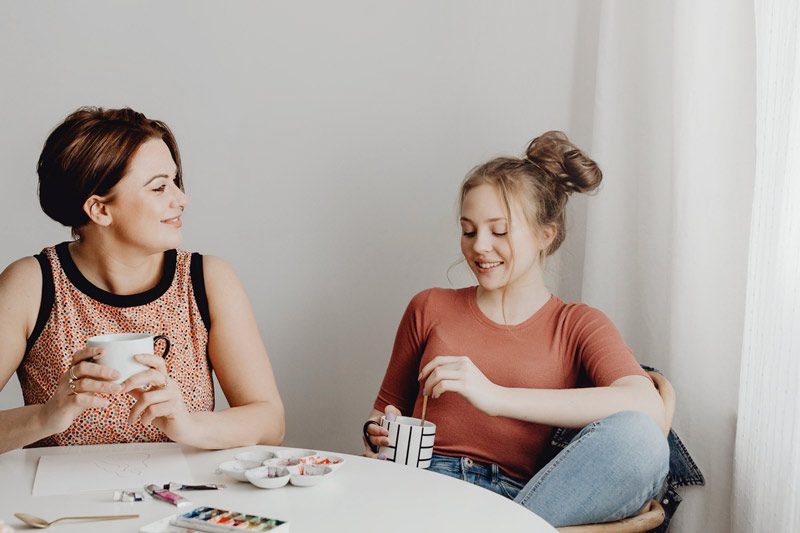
(144, 209)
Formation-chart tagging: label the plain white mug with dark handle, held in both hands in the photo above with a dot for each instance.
(119, 349)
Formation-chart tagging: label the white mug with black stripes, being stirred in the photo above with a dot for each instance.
(409, 443)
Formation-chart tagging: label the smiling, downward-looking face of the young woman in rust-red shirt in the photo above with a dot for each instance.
(499, 253)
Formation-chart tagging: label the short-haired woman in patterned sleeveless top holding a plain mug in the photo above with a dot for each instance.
(114, 176)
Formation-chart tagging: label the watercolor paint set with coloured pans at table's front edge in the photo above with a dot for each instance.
(212, 520)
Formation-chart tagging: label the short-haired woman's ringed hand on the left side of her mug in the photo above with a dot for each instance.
(77, 389)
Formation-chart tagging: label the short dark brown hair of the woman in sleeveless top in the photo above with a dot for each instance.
(88, 154)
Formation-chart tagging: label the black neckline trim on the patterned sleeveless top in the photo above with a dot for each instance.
(117, 300)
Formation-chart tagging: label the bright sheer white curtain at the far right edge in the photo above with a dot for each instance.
(767, 467)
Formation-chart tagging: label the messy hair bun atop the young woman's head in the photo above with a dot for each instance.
(570, 169)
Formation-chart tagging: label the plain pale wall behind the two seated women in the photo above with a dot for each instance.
(323, 144)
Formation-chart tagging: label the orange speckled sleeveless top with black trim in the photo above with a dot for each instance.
(73, 309)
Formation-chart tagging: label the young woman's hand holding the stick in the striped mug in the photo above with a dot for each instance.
(449, 373)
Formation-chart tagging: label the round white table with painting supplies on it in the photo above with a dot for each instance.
(364, 495)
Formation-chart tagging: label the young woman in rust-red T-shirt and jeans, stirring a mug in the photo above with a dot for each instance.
(505, 361)
